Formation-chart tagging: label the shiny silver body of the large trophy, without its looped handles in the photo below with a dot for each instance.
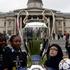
(34, 35)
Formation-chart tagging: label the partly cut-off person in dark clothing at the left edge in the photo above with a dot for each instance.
(3, 43)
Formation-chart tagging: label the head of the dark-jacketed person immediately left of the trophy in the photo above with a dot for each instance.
(15, 41)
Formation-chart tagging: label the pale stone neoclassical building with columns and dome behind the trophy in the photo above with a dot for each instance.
(57, 21)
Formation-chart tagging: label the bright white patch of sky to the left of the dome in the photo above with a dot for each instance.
(9, 5)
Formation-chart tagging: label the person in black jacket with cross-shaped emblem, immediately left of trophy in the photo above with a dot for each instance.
(14, 56)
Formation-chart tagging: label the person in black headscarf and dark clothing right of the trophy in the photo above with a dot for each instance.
(54, 56)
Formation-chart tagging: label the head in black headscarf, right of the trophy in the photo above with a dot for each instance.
(54, 50)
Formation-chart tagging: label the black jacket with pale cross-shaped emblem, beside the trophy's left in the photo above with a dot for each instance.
(15, 57)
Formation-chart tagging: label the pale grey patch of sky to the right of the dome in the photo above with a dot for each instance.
(60, 5)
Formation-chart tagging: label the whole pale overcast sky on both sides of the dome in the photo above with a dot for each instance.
(59, 5)
